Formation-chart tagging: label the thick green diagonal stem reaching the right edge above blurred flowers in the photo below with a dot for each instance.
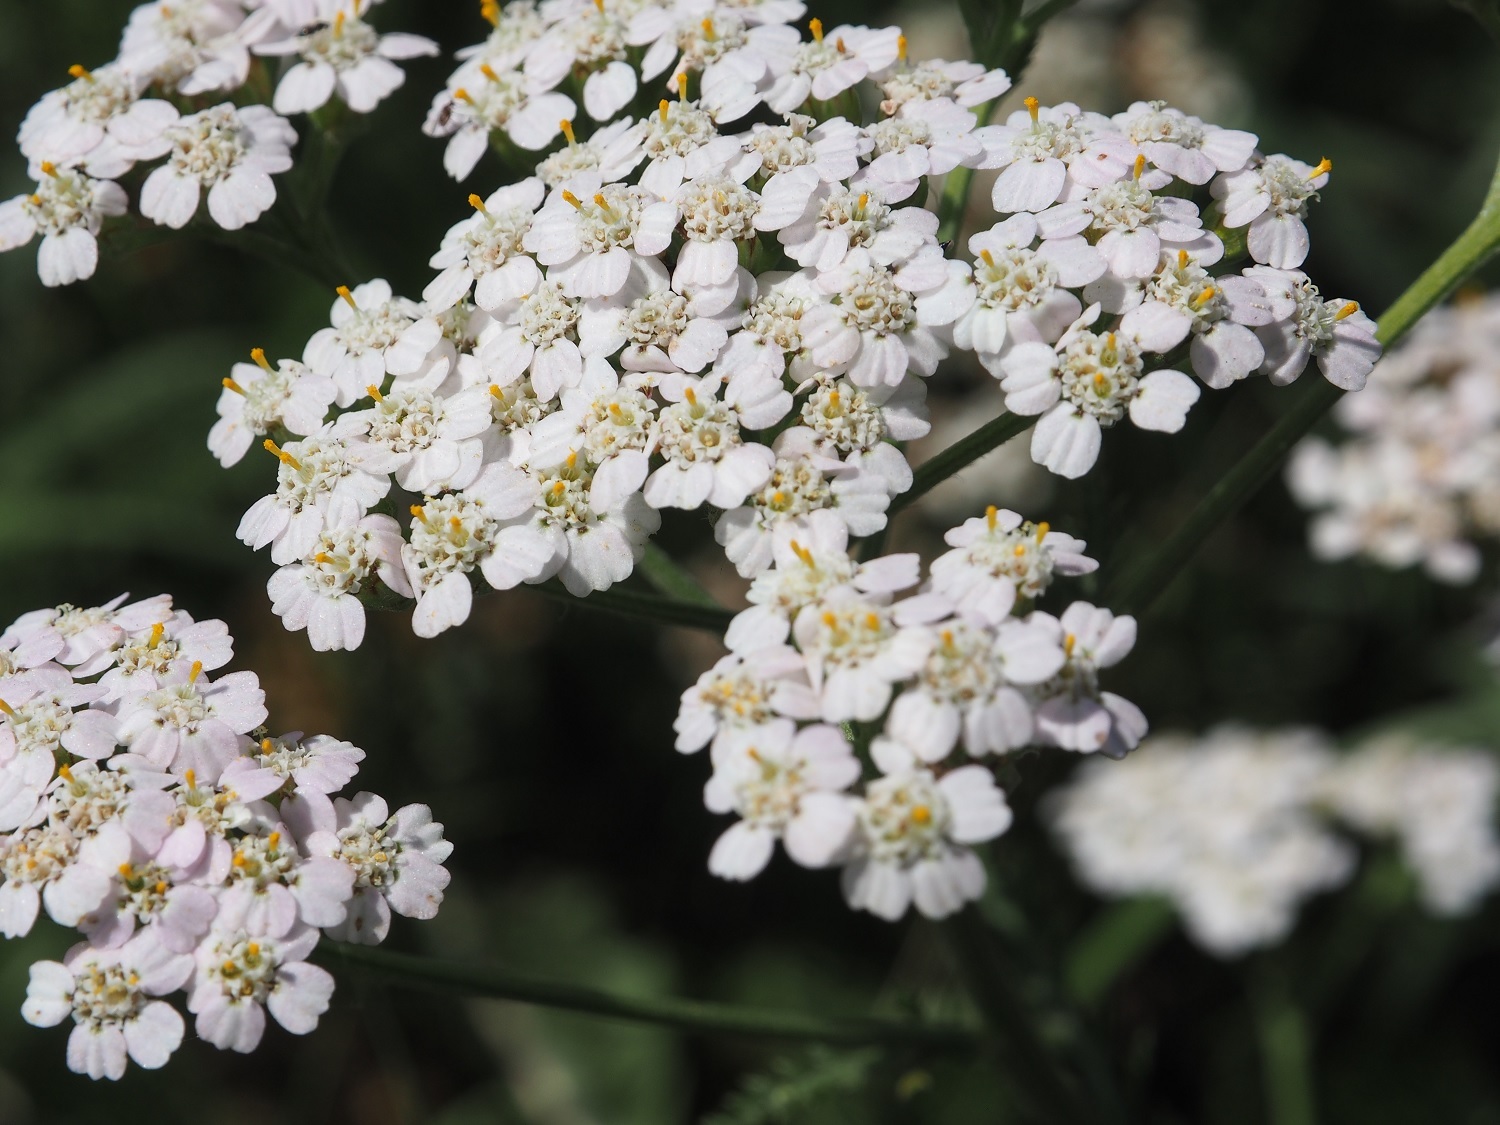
(1142, 584)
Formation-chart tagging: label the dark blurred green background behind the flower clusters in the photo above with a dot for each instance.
(541, 734)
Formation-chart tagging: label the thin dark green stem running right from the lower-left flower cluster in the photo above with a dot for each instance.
(688, 1016)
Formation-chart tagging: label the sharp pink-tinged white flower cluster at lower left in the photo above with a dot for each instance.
(145, 803)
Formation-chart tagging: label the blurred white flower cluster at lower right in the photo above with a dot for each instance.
(1237, 827)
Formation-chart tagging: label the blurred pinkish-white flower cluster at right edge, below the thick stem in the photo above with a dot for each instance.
(1418, 478)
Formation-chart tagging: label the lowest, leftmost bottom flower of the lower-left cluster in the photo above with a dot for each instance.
(110, 998)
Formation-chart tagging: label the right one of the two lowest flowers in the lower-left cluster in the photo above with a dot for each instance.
(241, 976)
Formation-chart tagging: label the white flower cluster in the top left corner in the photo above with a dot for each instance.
(184, 92)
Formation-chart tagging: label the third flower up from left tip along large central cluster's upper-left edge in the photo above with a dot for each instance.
(484, 251)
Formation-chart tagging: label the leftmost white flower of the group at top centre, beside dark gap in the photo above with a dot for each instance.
(521, 107)
